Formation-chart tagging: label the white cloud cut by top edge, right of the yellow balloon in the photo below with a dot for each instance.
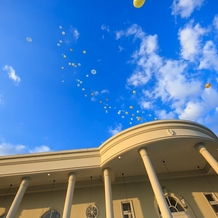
(184, 8)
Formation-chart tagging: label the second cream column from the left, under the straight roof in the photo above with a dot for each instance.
(69, 195)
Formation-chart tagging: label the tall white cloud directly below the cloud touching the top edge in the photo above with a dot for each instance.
(190, 41)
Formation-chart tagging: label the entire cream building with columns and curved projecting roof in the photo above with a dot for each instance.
(158, 169)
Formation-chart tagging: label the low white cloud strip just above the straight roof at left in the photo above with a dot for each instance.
(11, 149)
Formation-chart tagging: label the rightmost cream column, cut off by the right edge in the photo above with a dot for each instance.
(208, 157)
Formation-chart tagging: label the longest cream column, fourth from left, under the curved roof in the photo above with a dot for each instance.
(155, 184)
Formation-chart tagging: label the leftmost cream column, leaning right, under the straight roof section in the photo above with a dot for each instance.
(16, 203)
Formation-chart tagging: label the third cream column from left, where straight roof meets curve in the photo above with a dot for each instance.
(108, 194)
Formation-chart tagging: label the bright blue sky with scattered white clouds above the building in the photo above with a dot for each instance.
(74, 73)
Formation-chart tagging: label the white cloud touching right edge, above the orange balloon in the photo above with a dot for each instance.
(209, 59)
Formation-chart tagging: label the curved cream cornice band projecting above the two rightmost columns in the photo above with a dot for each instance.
(146, 134)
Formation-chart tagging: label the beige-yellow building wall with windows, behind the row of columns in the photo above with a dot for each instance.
(36, 204)
